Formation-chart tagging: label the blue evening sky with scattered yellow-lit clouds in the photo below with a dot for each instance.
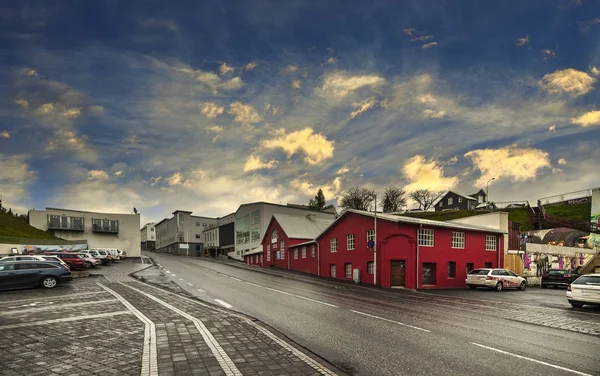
(206, 105)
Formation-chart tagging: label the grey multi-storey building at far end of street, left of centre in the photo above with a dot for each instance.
(182, 233)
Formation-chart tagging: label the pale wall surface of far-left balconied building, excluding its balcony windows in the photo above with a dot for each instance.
(127, 239)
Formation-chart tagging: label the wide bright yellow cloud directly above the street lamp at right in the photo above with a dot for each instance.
(511, 162)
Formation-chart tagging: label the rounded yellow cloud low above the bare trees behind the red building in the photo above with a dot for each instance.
(421, 173)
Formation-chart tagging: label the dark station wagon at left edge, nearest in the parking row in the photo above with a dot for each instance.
(26, 274)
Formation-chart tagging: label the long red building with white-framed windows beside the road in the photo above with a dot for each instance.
(411, 252)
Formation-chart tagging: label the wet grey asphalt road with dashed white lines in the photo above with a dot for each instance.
(370, 332)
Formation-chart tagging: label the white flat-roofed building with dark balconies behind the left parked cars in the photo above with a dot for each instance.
(101, 230)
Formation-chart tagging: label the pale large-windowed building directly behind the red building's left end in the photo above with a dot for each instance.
(251, 221)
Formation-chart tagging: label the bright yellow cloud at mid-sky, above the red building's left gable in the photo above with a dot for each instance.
(315, 146)
